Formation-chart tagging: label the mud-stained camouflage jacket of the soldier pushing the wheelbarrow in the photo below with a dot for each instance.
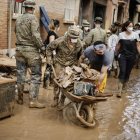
(64, 55)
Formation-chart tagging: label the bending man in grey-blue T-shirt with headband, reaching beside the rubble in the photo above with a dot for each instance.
(99, 59)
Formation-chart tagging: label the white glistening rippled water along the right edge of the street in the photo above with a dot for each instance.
(131, 115)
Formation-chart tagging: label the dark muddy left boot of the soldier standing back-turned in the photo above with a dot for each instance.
(20, 88)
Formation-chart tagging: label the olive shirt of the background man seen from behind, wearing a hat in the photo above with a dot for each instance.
(97, 34)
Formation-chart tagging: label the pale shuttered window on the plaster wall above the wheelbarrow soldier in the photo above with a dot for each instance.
(69, 13)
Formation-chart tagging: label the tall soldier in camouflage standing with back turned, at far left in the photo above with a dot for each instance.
(28, 45)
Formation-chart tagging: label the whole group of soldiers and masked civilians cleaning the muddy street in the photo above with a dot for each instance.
(71, 49)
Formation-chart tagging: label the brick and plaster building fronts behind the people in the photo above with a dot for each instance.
(67, 11)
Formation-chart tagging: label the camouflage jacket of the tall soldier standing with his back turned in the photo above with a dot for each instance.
(27, 32)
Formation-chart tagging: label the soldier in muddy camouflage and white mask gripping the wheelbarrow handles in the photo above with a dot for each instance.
(68, 50)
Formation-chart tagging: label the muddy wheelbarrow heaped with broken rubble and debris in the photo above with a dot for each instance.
(77, 85)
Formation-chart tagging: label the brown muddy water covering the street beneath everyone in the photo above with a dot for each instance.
(117, 119)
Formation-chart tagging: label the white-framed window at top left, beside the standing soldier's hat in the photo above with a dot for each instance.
(17, 9)
